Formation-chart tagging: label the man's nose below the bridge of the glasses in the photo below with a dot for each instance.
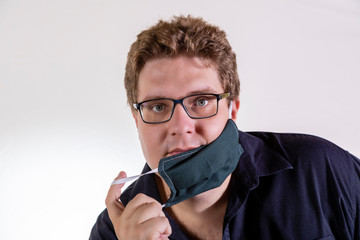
(181, 123)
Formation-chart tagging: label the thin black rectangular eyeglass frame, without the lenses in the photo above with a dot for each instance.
(218, 98)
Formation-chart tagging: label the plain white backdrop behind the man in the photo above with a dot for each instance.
(65, 128)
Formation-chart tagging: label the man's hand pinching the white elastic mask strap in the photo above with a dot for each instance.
(141, 219)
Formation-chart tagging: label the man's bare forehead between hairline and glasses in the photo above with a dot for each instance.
(177, 77)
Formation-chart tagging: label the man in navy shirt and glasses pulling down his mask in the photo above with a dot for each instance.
(181, 79)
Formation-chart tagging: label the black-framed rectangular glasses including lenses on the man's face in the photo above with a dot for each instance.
(197, 106)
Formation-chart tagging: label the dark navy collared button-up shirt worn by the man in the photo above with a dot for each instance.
(286, 186)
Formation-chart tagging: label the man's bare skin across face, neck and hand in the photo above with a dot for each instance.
(143, 217)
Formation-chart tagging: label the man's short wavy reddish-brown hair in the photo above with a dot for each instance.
(182, 35)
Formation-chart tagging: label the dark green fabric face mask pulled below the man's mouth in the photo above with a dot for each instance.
(198, 170)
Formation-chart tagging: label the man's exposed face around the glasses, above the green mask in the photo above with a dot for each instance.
(176, 78)
